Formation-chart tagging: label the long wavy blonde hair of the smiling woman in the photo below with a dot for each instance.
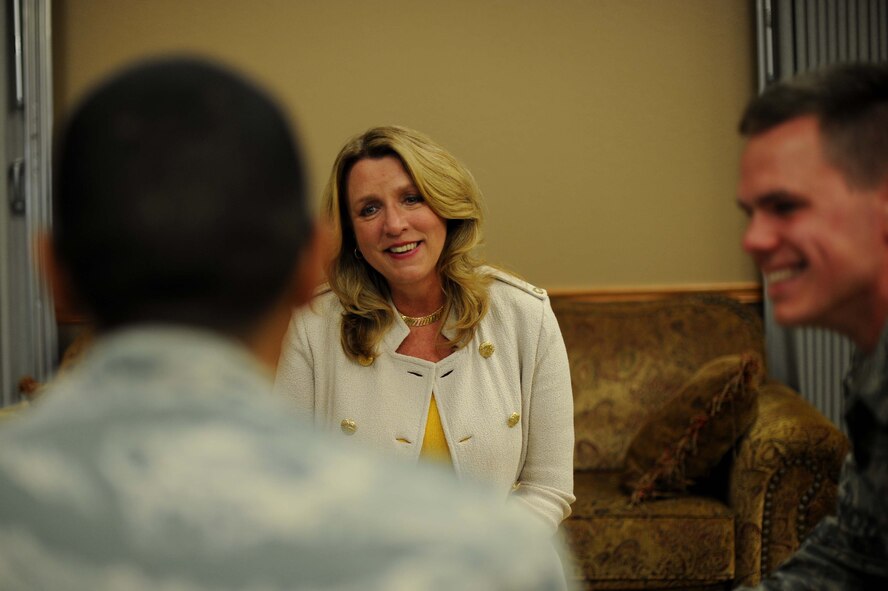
(451, 192)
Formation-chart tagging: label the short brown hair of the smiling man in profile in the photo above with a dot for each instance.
(850, 101)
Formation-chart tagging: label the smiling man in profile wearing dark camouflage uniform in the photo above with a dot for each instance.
(814, 182)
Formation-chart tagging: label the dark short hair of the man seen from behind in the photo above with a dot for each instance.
(179, 198)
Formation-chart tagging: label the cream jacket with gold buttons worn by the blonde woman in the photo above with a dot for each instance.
(506, 409)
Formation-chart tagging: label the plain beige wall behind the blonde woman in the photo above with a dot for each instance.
(602, 132)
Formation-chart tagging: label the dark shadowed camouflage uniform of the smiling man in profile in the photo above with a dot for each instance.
(850, 550)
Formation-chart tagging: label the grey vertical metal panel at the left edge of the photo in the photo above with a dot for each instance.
(27, 321)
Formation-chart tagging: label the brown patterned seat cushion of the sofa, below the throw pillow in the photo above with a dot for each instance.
(684, 541)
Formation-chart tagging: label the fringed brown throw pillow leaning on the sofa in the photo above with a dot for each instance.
(684, 439)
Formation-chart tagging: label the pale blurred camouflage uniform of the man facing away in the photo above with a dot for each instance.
(163, 462)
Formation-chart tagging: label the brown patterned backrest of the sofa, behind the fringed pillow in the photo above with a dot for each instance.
(626, 357)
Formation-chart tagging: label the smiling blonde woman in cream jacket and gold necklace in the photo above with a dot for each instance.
(416, 348)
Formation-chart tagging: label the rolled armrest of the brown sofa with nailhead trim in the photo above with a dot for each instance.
(783, 480)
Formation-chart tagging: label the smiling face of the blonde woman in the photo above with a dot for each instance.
(397, 232)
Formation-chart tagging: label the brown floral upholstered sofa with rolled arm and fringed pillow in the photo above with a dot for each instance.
(734, 518)
